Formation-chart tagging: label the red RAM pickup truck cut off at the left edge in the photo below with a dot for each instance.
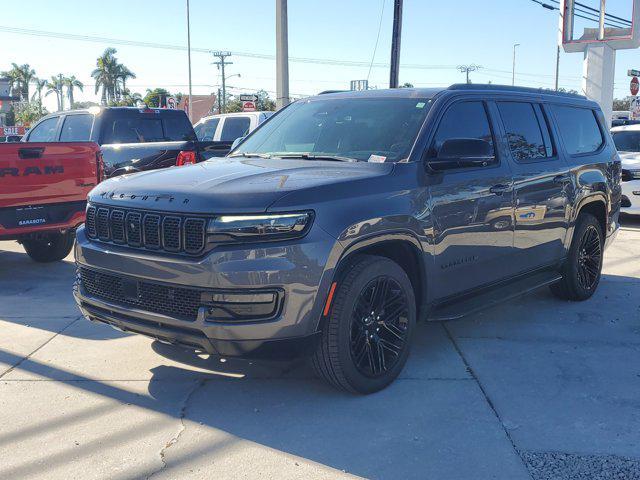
(43, 191)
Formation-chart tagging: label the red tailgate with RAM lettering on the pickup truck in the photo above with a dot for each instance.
(40, 173)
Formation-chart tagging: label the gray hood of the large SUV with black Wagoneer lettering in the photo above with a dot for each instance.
(228, 185)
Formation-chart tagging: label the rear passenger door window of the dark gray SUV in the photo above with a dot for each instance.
(526, 129)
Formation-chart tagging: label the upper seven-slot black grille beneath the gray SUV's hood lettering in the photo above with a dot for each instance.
(139, 229)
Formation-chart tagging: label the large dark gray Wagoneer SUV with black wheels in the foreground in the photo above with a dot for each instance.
(346, 217)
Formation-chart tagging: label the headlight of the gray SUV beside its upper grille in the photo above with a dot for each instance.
(251, 228)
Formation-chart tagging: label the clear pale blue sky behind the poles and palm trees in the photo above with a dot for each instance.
(437, 34)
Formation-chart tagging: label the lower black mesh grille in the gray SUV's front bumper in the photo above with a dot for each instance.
(179, 302)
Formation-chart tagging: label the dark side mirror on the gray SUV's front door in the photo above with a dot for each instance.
(461, 153)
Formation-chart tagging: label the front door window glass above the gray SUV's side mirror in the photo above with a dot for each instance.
(463, 120)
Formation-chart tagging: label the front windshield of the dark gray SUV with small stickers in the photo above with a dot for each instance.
(367, 129)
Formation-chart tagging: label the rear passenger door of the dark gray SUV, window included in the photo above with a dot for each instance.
(542, 183)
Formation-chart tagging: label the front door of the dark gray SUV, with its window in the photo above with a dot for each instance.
(472, 209)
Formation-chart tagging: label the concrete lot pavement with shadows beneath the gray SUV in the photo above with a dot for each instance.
(535, 388)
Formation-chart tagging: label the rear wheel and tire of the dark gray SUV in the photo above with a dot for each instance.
(583, 266)
